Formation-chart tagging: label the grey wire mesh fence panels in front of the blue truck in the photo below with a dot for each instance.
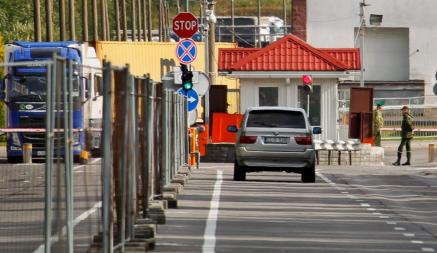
(42, 204)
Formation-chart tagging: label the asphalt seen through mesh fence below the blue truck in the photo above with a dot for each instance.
(22, 207)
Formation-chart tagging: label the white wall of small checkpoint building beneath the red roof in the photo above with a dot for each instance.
(288, 96)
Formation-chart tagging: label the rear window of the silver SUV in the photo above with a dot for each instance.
(276, 118)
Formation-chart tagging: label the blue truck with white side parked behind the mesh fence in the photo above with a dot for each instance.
(24, 93)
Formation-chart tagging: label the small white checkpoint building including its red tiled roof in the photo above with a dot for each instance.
(272, 76)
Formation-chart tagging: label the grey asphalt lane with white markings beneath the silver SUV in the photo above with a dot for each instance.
(348, 209)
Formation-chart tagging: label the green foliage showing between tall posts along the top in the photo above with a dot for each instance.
(16, 16)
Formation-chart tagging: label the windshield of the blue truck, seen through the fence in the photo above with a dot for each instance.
(33, 88)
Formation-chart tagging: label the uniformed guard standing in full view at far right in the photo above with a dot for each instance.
(406, 135)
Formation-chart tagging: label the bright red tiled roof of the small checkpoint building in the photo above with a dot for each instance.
(288, 54)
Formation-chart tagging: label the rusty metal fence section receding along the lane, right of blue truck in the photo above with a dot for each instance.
(144, 144)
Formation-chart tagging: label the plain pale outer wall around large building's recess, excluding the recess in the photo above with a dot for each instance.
(334, 27)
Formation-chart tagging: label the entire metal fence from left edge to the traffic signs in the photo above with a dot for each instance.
(57, 206)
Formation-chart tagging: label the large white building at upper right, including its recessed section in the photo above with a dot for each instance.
(400, 55)
